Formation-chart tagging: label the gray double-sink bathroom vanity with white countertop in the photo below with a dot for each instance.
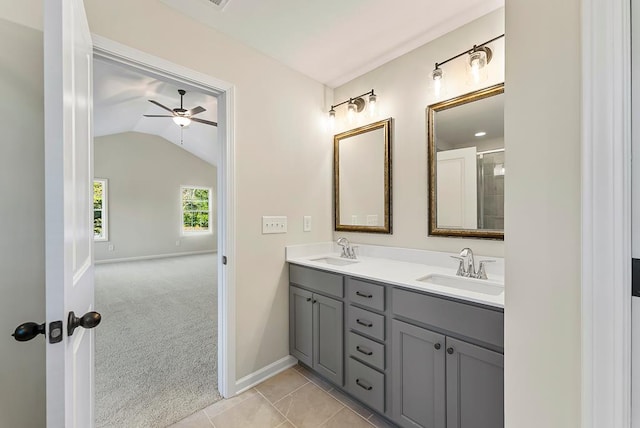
(409, 340)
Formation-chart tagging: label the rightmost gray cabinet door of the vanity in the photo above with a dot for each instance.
(475, 386)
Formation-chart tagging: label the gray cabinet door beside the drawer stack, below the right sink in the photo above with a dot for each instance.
(418, 383)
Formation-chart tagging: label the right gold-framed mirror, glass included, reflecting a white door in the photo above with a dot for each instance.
(466, 165)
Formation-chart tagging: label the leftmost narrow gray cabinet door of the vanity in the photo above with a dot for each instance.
(301, 325)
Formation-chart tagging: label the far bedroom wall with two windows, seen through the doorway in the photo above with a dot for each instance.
(144, 174)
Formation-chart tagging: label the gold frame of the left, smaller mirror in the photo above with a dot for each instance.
(386, 227)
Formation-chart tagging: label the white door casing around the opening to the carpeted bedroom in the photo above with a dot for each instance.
(112, 53)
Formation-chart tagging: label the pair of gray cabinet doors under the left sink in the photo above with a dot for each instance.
(316, 332)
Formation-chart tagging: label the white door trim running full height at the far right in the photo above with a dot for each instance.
(606, 213)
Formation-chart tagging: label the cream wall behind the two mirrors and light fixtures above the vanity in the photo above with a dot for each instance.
(403, 90)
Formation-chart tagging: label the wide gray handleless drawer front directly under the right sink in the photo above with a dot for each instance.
(484, 325)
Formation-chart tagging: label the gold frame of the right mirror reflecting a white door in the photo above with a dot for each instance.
(434, 230)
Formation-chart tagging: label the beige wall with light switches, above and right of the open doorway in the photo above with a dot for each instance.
(283, 153)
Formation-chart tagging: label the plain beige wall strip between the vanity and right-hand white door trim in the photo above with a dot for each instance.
(542, 214)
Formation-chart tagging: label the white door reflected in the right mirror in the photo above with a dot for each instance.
(457, 189)
